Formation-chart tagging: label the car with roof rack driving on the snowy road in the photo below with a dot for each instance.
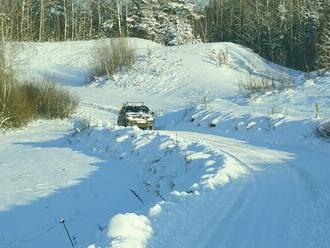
(136, 114)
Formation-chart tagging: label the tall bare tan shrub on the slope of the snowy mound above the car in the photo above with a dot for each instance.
(113, 55)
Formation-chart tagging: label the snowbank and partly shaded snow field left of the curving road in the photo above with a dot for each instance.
(110, 171)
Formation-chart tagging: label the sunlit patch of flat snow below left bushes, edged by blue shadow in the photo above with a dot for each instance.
(21, 187)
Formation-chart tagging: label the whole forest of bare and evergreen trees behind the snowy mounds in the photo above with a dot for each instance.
(294, 33)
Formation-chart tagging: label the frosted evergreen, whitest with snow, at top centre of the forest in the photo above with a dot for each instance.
(167, 22)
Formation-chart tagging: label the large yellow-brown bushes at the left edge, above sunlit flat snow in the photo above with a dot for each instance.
(21, 103)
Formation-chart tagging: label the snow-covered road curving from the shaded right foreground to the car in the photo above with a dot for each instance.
(269, 196)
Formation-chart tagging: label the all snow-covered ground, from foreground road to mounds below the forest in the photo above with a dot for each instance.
(232, 172)
